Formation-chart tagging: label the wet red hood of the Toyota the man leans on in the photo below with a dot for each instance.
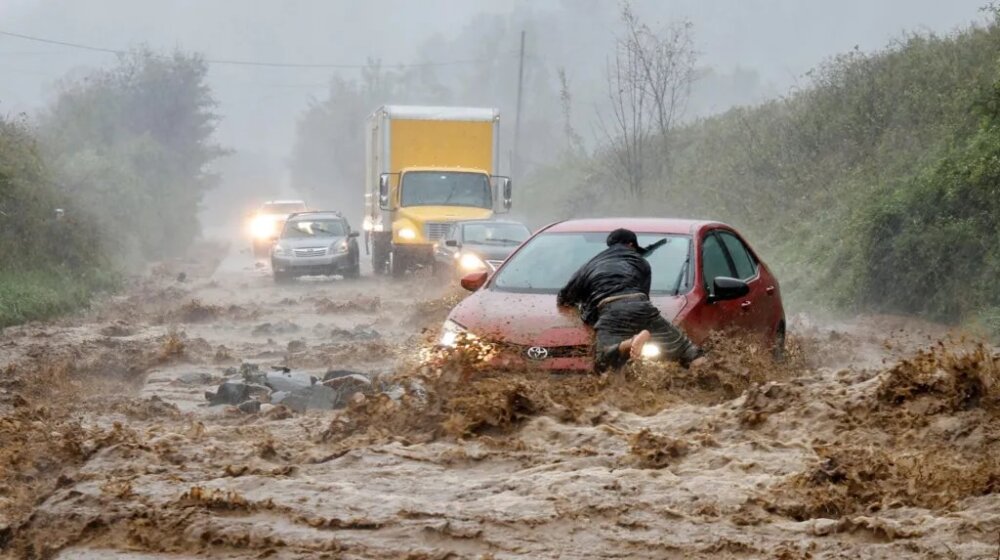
(533, 319)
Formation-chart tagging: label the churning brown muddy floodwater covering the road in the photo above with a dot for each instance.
(877, 438)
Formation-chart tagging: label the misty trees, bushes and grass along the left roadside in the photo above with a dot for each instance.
(122, 152)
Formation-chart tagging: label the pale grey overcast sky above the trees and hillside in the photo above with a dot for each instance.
(779, 40)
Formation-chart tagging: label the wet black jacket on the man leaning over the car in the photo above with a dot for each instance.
(617, 270)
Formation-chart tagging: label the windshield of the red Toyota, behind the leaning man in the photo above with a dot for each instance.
(547, 262)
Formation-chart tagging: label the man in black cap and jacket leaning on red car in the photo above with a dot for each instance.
(612, 292)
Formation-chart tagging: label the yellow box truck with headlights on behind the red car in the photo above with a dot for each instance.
(426, 168)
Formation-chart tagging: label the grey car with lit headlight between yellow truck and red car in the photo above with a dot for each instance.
(478, 245)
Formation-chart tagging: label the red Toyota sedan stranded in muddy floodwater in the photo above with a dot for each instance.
(705, 278)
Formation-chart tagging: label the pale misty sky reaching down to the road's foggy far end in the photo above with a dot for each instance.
(756, 49)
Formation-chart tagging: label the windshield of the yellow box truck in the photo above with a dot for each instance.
(436, 188)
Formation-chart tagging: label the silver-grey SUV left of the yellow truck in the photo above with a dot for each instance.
(315, 243)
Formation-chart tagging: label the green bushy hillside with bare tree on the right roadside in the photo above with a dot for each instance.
(874, 187)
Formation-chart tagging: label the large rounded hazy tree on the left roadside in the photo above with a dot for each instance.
(131, 145)
